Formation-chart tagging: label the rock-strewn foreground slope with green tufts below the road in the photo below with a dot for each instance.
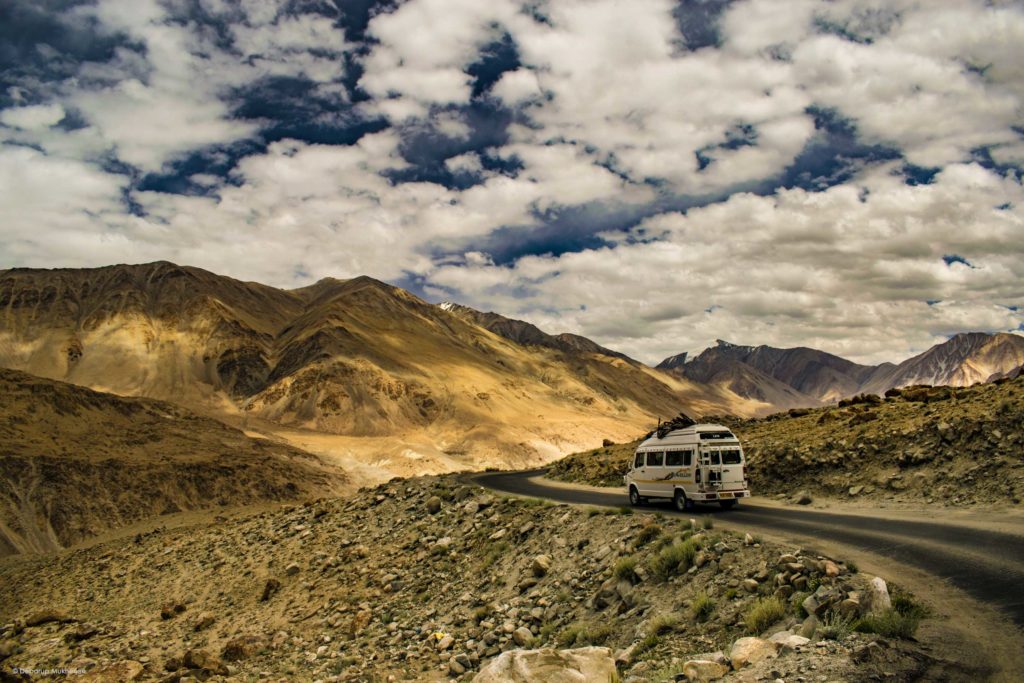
(432, 579)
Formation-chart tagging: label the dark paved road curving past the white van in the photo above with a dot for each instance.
(990, 566)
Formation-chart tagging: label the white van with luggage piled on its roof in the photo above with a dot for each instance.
(699, 464)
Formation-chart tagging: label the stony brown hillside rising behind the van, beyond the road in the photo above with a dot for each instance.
(934, 445)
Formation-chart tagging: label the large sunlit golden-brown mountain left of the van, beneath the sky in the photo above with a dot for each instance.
(355, 369)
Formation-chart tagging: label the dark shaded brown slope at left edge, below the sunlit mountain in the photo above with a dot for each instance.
(75, 463)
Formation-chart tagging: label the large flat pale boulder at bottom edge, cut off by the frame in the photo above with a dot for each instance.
(584, 665)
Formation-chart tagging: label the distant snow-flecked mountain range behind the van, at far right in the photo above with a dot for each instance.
(805, 377)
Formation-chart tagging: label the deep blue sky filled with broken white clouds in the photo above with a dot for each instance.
(656, 176)
